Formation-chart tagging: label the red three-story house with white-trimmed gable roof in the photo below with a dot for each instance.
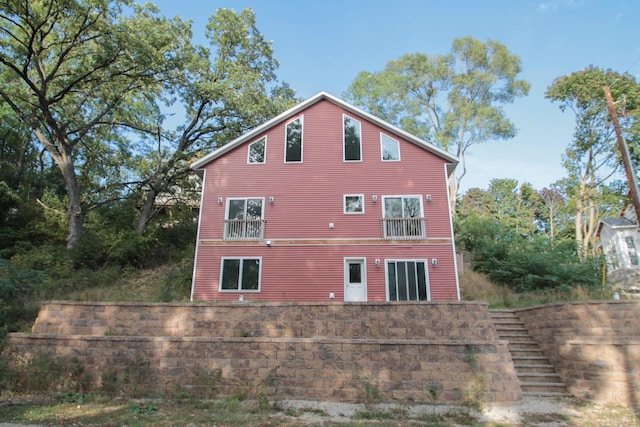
(325, 202)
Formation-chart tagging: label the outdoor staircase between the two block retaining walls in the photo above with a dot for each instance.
(536, 375)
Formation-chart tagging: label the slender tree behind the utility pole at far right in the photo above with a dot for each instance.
(592, 157)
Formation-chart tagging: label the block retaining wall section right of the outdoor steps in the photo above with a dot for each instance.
(595, 347)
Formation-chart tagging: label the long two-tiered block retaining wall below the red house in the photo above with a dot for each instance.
(332, 352)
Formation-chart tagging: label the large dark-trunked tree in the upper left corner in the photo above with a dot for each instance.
(77, 71)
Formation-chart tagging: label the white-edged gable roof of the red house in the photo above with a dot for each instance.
(453, 161)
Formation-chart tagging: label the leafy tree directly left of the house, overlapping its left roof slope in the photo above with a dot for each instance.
(224, 93)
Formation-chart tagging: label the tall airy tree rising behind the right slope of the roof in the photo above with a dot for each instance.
(453, 99)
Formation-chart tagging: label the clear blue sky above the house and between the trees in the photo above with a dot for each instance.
(323, 44)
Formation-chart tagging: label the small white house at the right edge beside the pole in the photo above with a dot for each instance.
(620, 239)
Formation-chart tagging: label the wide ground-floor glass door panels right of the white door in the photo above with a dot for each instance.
(407, 281)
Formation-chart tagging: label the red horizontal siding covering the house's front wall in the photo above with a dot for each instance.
(309, 196)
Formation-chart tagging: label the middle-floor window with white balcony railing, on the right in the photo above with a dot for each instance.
(403, 217)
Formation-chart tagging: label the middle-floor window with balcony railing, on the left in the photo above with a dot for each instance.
(244, 219)
